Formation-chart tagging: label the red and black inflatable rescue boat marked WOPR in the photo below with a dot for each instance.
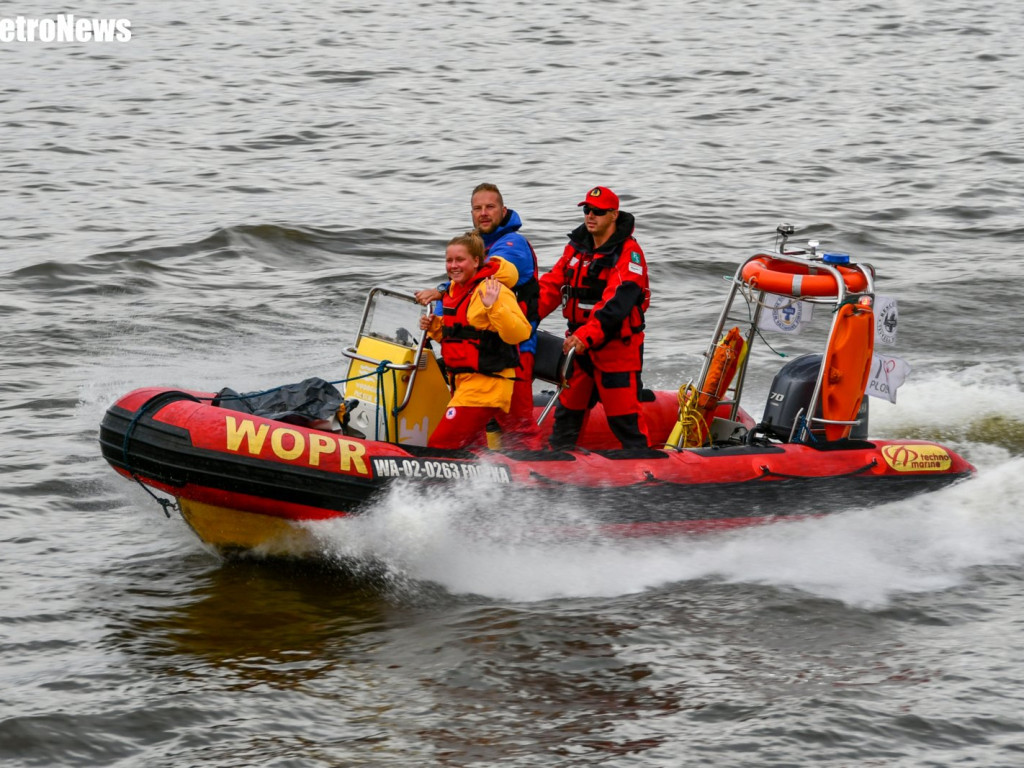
(249, 476)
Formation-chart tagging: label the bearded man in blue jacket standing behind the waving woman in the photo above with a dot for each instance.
(500, 229)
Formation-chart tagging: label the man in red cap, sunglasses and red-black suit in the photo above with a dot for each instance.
(601, 282)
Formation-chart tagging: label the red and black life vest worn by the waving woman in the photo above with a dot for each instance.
(465, 349)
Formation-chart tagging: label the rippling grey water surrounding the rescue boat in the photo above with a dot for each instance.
(207, 205)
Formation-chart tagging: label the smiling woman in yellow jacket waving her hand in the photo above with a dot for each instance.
(480, 332)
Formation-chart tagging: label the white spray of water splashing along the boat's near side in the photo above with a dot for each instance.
(481, 541)
